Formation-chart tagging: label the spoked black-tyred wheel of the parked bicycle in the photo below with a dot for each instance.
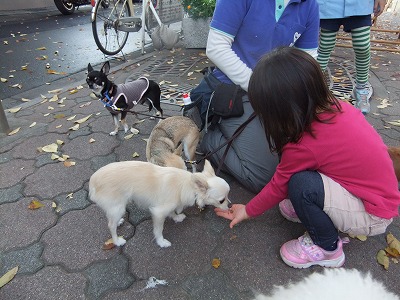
(105, 22)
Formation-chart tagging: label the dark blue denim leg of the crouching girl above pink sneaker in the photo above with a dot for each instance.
(306, 192)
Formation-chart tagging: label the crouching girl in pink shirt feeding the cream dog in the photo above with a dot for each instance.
(334, 166)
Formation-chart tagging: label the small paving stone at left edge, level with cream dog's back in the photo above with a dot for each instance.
(14, 171)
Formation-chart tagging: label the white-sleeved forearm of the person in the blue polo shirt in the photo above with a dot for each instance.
(219, 51)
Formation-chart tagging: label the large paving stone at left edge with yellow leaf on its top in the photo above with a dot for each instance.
(20, 226)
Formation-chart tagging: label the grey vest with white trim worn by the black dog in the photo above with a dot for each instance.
(132, 91)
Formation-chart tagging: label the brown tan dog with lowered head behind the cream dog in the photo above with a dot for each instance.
(168, 137)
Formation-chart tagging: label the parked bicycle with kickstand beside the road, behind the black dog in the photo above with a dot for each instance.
(113, 20)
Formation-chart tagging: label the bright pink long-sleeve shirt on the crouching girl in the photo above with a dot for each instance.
(349, 151)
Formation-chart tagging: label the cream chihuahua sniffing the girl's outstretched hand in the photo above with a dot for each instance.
(164, 191)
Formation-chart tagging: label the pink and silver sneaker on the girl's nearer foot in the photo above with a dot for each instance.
(303, 253)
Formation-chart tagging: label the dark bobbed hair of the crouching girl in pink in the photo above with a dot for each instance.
(288, 92)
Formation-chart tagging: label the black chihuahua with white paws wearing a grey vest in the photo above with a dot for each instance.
(120, 98)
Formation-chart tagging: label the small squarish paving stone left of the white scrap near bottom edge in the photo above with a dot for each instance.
(108, 275)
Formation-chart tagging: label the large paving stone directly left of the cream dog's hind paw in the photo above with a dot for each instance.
(76, 240)
